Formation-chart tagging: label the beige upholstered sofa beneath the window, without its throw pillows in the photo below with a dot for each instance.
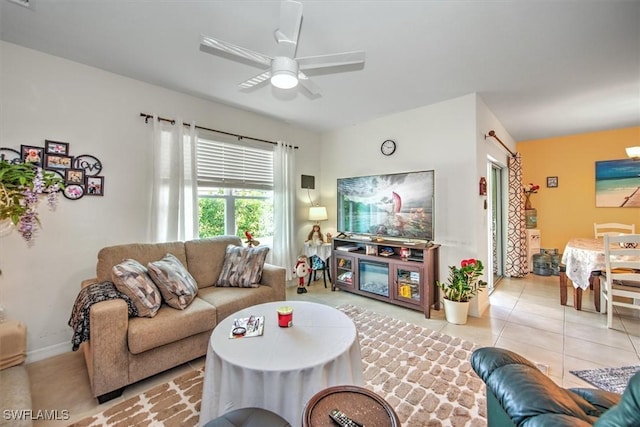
(123, 350)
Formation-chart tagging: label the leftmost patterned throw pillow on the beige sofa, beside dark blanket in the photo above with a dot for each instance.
(131, 278)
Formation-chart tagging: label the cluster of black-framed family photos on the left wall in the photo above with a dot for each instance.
(81, 174)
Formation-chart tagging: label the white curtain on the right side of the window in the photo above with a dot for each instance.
(284, 207)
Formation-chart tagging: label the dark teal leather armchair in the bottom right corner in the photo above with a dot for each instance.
(518, 394)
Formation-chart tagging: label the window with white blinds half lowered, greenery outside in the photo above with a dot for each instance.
(235, 189)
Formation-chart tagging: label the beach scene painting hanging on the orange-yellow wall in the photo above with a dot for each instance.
(618, 184)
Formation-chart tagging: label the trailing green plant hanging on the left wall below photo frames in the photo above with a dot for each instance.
(21, 186)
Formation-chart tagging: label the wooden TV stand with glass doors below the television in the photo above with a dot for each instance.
(397, 272)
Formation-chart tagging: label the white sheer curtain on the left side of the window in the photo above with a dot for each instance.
(174, 209)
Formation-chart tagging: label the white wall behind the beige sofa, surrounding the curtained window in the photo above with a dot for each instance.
(45, 97)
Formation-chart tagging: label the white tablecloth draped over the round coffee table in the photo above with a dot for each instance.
(282, 369)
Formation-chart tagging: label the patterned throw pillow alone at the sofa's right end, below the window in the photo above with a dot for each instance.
(242, 266)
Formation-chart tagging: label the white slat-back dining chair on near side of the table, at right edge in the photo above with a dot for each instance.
(621, 279)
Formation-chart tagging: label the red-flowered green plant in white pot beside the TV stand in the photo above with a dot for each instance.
(463, 283)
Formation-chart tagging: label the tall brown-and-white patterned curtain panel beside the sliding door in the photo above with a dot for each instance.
(516, 262)
